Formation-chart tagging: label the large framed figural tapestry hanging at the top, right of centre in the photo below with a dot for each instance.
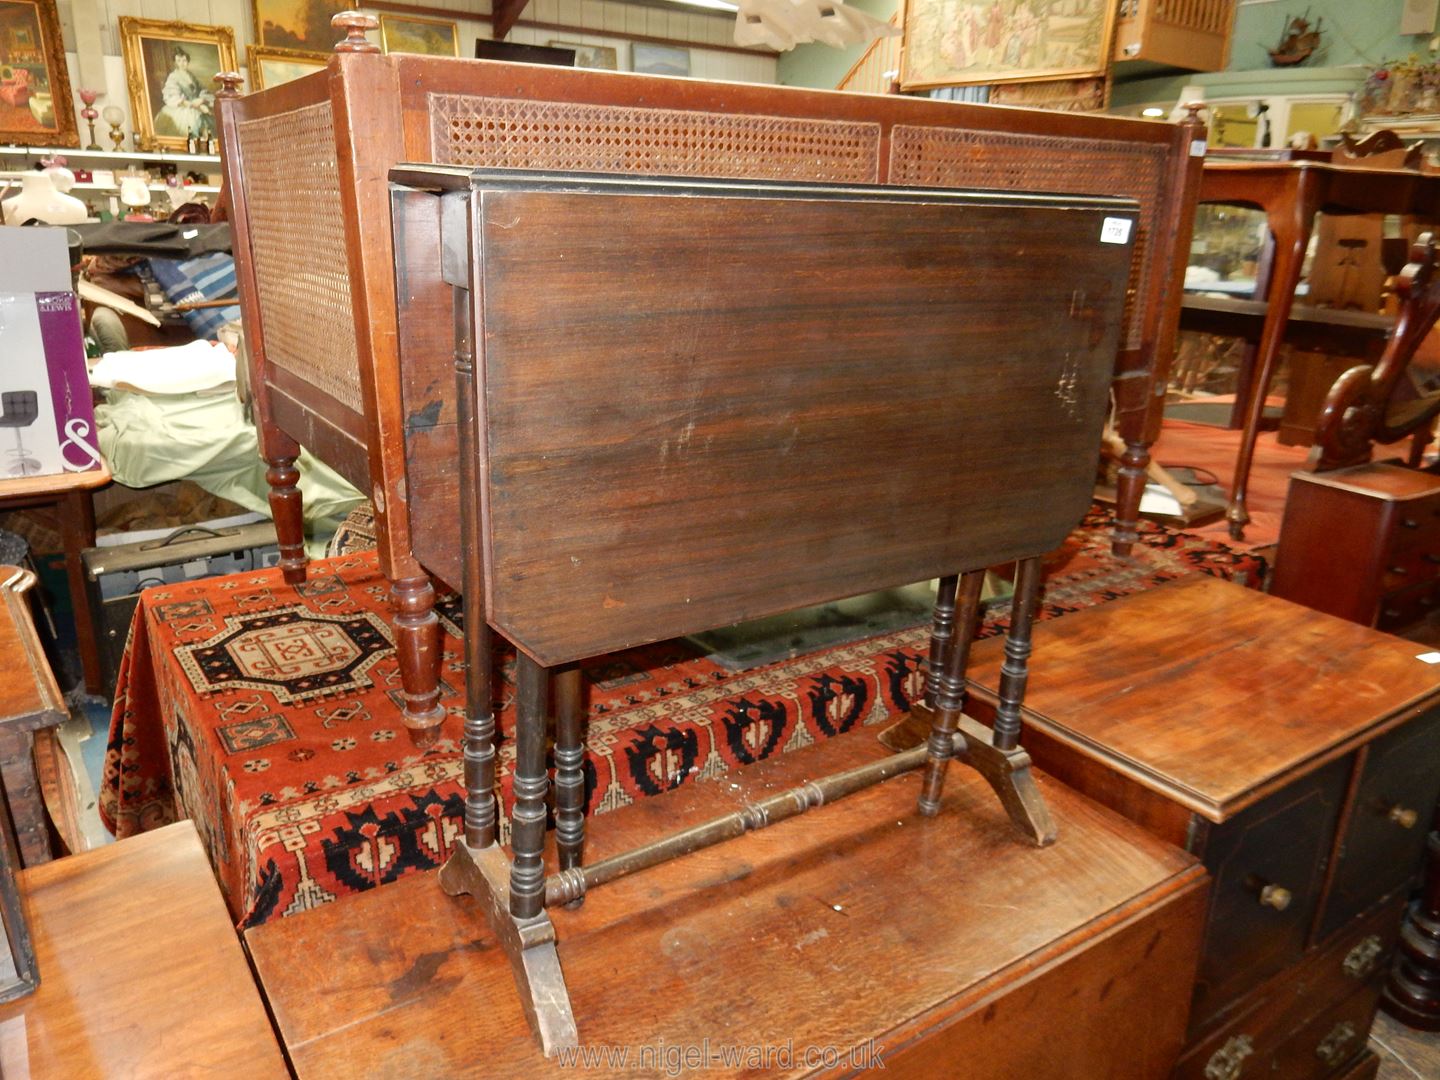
(964, 42)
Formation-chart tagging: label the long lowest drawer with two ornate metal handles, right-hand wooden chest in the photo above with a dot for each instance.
(1350, 971)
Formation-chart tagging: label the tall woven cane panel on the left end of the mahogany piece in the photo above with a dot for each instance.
(299, 247)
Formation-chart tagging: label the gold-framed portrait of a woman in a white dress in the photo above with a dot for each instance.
(171, 70)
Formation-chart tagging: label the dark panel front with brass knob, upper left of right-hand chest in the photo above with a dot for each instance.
(1269, 868)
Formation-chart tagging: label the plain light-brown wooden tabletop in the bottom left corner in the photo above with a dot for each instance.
(142, 974)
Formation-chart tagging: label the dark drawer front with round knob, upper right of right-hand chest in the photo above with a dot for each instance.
(1385, 836)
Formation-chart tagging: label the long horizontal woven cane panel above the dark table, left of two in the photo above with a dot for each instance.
(510, 133)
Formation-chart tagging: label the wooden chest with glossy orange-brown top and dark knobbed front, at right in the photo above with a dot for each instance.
(1295, 754)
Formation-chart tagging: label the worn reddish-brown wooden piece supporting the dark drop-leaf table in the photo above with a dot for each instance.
(938, 944)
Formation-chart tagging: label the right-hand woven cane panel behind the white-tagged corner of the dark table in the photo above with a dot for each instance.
(954, 158)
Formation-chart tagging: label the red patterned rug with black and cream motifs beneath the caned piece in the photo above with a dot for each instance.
(271, 716)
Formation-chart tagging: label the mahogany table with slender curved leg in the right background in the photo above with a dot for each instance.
(1291, 194)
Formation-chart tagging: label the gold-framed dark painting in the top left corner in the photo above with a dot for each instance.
(35, 90)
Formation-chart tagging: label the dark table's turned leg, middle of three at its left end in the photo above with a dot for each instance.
(531, 786)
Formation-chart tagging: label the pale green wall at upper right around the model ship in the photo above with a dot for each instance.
(1359, 35)
